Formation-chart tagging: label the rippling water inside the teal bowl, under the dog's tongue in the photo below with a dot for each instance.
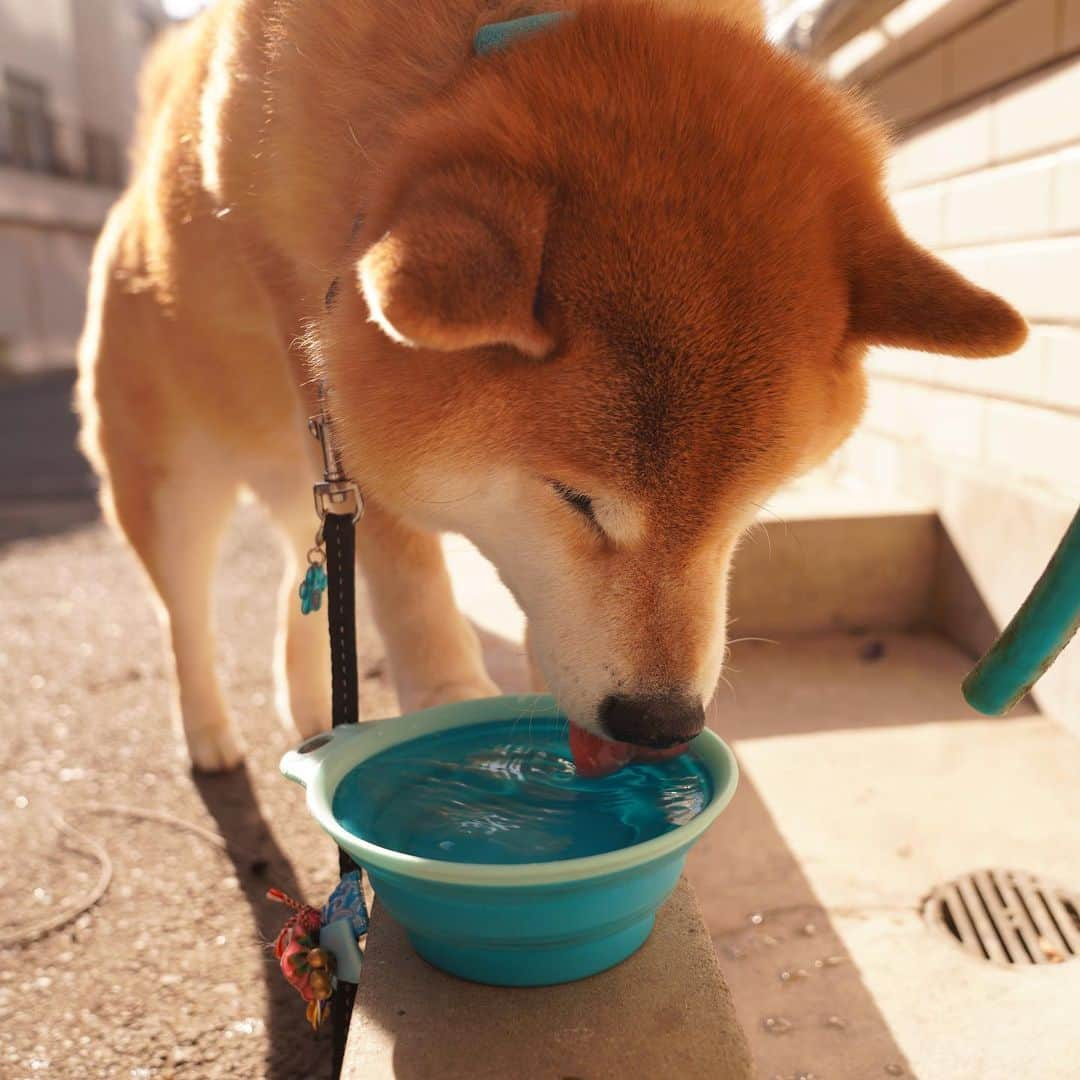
(508, 793)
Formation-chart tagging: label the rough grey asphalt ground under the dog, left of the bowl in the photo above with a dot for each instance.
(171, 974)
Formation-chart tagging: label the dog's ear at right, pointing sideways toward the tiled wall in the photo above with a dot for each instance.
(901, 295)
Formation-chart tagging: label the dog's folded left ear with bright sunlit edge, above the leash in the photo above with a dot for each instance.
(460, 264)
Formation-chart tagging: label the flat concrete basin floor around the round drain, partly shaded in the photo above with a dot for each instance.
(866, 782)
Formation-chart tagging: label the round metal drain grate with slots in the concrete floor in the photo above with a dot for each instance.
(1008, 917)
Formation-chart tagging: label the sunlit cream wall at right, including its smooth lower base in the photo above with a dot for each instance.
(987, 172)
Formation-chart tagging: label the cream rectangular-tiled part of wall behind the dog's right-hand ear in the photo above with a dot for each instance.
(993, 186)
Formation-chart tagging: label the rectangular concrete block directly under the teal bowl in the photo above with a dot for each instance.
(664, 1012)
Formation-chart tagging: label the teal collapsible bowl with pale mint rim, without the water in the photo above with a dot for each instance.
(524, 925)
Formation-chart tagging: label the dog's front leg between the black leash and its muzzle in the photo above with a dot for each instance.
(434, 653)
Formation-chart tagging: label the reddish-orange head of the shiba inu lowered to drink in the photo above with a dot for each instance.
(616, 290)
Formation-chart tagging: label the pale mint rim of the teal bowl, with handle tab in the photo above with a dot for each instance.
(316, 768)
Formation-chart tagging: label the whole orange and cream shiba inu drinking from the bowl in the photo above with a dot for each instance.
(587, 300)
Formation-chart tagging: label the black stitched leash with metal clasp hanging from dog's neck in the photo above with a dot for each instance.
(340, 505)
